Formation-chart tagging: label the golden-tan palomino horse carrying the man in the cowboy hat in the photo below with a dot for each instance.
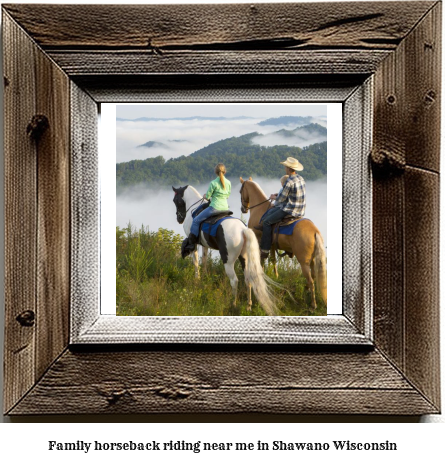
(306, 242)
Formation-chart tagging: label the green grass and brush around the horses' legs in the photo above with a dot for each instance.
(153, 280)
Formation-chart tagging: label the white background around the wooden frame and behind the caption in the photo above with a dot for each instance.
(22, 442)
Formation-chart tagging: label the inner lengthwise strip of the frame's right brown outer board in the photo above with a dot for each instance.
(388, 198)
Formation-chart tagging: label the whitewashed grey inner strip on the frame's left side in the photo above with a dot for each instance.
(85, 213)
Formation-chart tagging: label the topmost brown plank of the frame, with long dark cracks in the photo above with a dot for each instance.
(365, 25)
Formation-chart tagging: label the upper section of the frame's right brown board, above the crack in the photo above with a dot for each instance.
(408, 81)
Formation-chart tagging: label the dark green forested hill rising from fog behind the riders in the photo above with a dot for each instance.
(237, 153)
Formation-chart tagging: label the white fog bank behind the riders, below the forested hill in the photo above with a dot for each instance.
(154, 208)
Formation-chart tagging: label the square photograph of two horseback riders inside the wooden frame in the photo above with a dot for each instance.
(221, 209)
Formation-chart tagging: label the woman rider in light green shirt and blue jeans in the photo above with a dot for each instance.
(218, 191)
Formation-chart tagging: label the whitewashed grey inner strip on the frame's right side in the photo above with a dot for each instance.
(357, 209)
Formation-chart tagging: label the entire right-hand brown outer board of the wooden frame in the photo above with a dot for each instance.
(406, 278)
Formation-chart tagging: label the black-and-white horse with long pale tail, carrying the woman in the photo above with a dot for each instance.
(233, 240)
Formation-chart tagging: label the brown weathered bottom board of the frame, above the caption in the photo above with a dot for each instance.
(218, 382)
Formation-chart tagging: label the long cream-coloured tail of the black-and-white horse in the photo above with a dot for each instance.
(254, 274)
